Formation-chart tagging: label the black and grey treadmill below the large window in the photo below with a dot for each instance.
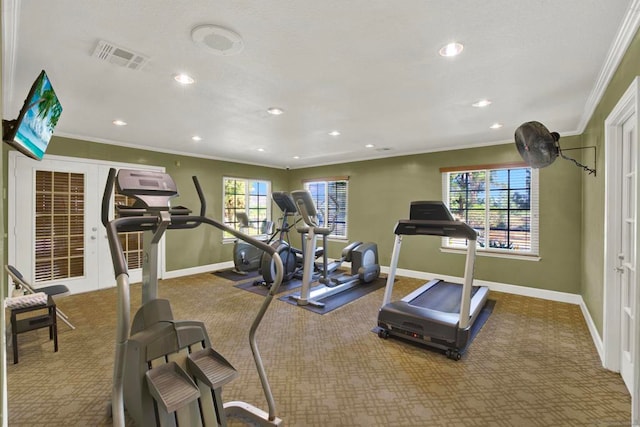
(439, 314)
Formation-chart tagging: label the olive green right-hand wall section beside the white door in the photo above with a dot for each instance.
(593, 189)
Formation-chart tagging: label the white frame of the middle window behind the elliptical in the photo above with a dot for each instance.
(342, 215)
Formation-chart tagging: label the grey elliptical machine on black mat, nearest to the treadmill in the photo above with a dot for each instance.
(363, 258)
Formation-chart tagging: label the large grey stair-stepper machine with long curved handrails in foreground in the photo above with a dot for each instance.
(165, 370)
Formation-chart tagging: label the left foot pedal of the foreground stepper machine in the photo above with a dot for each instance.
(171, 386)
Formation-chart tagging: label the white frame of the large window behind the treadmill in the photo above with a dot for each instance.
(534, 206)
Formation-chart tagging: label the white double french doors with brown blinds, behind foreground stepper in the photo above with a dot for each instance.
(55, 230)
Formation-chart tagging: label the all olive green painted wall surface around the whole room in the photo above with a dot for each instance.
(571, 204)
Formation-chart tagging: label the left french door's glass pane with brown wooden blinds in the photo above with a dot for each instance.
(59, 225)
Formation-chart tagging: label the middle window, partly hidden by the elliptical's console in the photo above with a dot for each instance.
(331, 195)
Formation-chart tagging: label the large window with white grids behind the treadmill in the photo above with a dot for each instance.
(501, 204)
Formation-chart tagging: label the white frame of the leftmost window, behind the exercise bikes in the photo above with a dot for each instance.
(255, 225)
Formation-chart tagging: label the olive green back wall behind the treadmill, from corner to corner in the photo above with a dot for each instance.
(380, 192)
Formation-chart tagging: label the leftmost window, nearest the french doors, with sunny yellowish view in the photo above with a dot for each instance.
(247, 206)
